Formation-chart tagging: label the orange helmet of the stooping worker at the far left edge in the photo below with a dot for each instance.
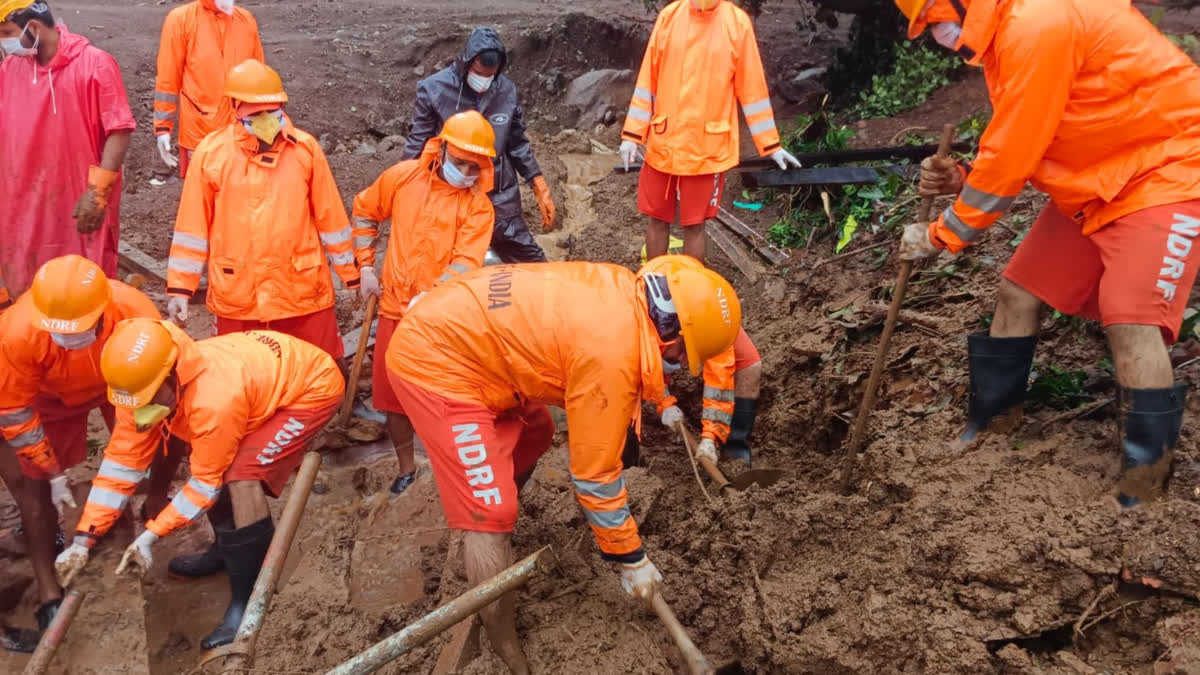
(70, 295)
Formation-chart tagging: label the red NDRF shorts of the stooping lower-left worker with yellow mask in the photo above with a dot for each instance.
(274, 451)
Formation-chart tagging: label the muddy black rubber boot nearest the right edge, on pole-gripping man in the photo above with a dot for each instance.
(1153, 423)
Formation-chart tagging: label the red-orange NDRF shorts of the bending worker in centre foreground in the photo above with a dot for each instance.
(477, 455)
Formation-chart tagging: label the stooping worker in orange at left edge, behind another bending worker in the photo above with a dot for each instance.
(51, 341)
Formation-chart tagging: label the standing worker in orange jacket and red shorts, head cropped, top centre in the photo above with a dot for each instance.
(701, 62)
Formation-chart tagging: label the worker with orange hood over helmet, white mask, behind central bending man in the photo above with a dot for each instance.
(441, 226)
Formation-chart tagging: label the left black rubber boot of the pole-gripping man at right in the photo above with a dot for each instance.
(1000, 378)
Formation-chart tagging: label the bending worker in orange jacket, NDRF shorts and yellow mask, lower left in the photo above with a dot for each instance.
(249, 403)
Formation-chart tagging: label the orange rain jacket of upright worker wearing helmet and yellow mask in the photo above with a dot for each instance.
(260, 223)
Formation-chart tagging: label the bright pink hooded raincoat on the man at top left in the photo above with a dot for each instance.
(53, 126)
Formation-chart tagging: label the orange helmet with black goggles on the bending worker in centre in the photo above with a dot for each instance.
(709, 308)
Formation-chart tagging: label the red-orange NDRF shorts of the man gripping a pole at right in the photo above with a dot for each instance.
(1137, 270)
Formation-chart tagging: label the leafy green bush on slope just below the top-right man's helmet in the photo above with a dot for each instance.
(920, 70)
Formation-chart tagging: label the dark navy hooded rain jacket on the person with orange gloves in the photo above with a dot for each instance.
(446, 93)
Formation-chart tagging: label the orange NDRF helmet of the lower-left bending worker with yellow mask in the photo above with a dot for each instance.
(136, 361)
